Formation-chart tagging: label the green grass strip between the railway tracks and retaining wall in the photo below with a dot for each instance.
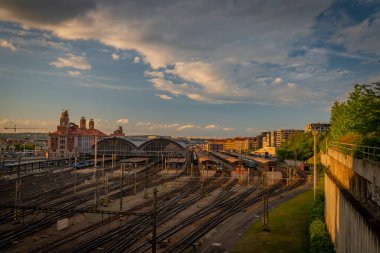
(289, 228)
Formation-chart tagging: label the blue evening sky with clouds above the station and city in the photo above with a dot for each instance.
(183, 68)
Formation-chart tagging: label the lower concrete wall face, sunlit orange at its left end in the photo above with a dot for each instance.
(347, 227)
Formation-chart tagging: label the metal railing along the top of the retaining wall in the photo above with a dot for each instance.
(358, 151)
